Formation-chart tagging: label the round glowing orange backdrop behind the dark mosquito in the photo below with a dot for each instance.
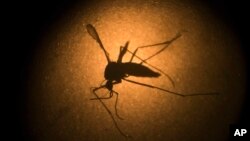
(69, 62)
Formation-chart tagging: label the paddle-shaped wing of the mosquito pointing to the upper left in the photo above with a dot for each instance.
(93, 33)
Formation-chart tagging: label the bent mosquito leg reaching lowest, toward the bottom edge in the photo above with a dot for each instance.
(109, 112)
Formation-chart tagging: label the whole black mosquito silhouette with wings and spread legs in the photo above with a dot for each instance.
(117, 71)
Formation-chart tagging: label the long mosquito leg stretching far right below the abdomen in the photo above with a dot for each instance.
(171, 92)
